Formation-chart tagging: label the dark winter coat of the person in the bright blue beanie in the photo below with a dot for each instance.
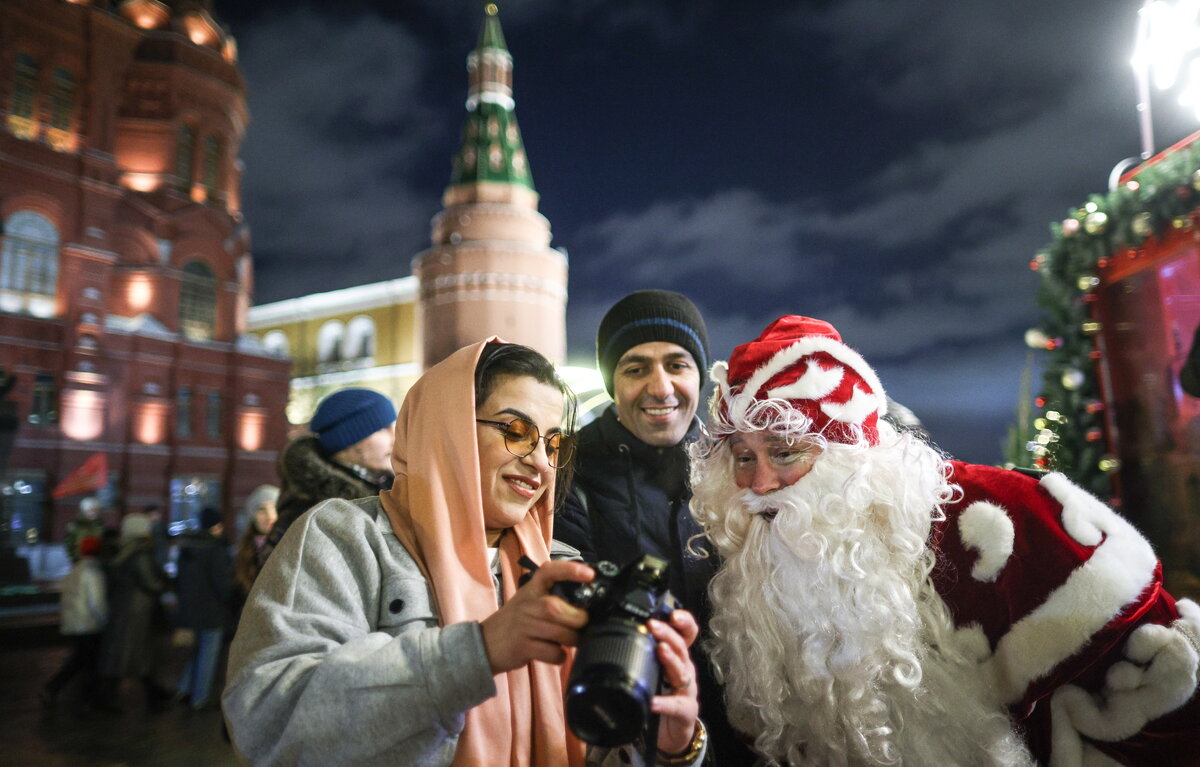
(308, 477)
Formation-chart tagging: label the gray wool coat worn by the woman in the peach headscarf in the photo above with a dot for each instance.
(339, 658)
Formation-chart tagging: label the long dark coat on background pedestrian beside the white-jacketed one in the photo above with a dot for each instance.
(135, 584)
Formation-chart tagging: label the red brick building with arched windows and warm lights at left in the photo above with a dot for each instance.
(127, 274)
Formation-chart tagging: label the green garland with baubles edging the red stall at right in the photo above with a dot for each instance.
(1070, 434)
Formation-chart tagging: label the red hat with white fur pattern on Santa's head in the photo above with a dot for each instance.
(803, 362)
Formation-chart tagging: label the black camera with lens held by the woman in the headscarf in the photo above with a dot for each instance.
(616, 670)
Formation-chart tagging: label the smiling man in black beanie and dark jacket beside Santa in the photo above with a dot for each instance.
(631, 489)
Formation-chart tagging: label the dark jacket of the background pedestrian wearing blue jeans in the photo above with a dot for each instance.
(205, 582)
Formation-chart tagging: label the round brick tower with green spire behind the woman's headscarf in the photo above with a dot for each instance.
(491, 269)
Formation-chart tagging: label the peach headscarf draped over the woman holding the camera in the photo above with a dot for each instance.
(437, 512)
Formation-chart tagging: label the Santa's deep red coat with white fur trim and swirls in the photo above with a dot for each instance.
(1058, 594)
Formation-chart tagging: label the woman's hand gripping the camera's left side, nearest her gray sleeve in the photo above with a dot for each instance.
(533, 625)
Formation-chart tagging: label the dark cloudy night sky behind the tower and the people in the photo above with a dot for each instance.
(891, 167)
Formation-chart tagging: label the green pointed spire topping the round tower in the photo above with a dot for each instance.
(491, 142)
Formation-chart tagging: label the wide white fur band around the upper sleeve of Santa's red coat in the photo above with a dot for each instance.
(1119, 571)
